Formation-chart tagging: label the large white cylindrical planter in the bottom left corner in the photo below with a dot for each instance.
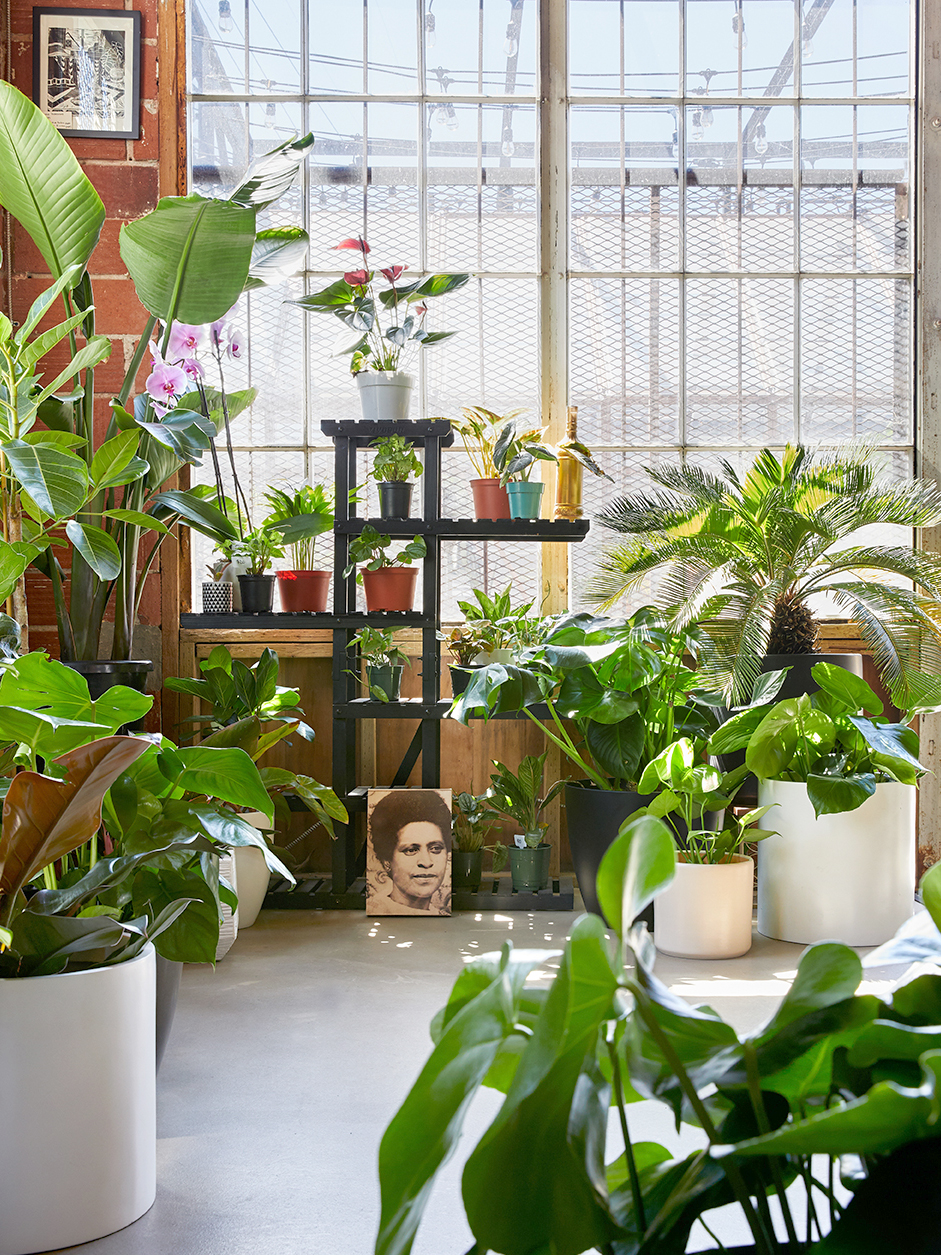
(78, 1106)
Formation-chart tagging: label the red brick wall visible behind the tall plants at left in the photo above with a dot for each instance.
(126, 175)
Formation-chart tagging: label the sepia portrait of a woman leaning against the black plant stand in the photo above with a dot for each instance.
(408, 852)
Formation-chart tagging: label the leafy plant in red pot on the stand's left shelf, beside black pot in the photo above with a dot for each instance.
(297, 519)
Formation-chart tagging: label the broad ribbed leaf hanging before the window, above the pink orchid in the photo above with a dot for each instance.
(190, 257)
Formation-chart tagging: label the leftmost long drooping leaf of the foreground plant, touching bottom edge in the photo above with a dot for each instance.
(425, 1133)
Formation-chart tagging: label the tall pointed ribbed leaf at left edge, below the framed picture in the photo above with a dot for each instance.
(45, 188)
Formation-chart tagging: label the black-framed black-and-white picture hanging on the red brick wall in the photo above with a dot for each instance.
(87, 71)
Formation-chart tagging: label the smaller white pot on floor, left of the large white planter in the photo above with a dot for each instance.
(707, 911)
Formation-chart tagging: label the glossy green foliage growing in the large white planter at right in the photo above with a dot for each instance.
(837, 741)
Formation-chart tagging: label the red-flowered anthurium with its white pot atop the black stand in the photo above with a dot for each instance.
(382, 348)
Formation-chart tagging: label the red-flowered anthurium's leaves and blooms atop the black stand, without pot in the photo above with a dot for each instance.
(385, 326)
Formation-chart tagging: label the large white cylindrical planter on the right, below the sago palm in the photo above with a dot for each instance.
(845, 878)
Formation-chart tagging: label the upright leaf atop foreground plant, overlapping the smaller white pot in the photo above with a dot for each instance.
(641, 864)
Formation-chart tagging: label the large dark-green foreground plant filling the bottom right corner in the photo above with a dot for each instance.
(837, 1094)
